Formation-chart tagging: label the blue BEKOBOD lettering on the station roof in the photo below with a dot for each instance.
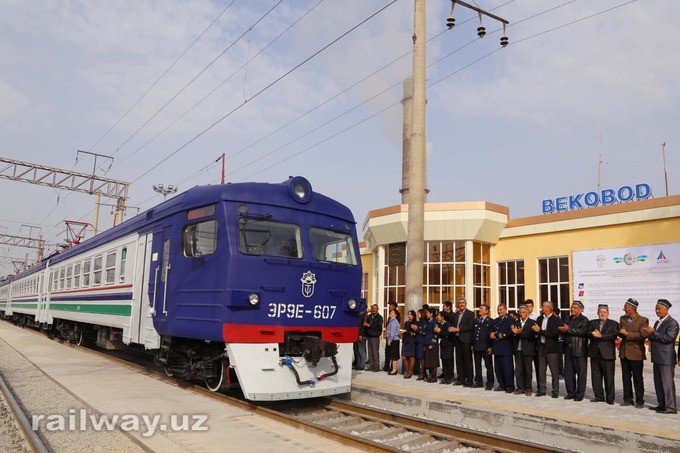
(605, 197)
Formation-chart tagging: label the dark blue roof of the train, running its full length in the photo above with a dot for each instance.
(271, 194)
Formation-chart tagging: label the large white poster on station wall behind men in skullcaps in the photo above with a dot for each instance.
(610, 276)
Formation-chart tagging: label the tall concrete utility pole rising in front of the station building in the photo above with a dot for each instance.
(416, 189)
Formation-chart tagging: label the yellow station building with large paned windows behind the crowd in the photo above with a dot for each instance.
(476, 249)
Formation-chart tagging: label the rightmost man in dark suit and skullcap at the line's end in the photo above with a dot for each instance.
(663, 336)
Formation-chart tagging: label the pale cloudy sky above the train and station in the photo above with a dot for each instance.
(526, 123)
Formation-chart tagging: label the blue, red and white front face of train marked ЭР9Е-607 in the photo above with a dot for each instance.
(294, 283)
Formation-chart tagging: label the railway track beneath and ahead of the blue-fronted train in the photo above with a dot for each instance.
(354, 425)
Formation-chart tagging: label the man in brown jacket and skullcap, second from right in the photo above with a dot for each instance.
(632, 353)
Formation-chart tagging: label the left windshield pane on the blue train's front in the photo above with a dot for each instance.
(262, 237)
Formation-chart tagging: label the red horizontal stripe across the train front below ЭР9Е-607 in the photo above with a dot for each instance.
(253, 333)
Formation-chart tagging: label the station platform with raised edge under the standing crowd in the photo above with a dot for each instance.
(564, 424)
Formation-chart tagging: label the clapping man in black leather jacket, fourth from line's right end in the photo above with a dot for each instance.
(576, 330)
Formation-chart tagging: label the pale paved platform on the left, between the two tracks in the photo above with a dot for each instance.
(113, 389)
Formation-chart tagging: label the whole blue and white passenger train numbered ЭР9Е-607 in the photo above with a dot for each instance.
(251, 283)
